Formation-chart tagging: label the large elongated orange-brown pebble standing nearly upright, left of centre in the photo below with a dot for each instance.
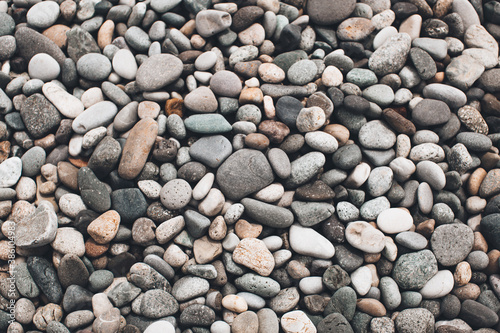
(137, 147)
